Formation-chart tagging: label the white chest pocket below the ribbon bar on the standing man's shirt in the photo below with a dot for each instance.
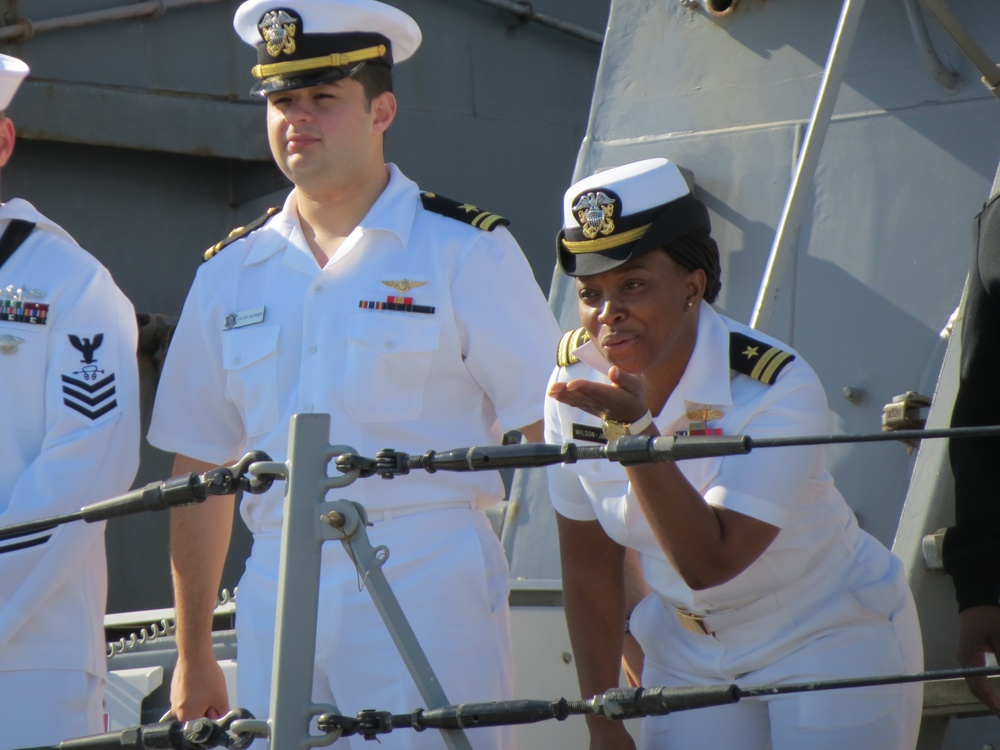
(389, 361)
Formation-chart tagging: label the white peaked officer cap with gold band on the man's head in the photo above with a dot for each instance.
(304, 43)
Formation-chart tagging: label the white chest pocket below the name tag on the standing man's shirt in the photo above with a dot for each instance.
(250, 359)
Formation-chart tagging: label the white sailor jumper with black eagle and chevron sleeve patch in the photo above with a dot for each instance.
(70, 438)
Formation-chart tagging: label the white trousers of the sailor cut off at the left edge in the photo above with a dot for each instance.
(47, 706)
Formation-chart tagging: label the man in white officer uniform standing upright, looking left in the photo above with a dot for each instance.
(414, 321)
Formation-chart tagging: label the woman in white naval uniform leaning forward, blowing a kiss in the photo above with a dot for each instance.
(757, 571)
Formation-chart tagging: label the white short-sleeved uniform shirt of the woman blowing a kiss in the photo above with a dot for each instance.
(785, 487)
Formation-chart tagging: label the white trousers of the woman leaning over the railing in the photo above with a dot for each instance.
(863, 623)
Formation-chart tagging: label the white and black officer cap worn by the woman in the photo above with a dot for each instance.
(619, 214)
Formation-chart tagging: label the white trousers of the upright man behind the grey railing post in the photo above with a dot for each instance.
(448, 571)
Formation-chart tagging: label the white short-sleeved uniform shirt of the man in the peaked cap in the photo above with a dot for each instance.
(411, 381)
